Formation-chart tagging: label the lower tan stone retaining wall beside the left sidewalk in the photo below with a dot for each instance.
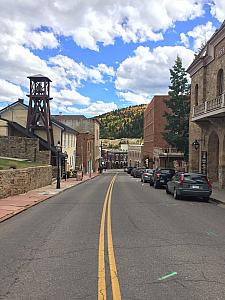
(19, 181)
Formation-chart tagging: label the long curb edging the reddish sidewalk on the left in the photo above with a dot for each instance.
(12, 214)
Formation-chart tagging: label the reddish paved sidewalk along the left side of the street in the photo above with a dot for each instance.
(13, 205)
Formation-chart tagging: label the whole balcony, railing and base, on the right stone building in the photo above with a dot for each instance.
(211, 108)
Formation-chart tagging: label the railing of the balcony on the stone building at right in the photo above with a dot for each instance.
(208, 107)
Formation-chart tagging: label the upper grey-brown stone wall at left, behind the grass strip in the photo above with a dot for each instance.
(22, 147)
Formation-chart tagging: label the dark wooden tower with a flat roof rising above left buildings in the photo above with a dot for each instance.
(39, 116)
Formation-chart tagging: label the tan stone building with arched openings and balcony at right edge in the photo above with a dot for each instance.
(207, 119)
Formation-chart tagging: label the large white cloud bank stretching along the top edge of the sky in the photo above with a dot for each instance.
(90, 22)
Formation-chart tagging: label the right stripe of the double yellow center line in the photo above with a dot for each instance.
(112, 262)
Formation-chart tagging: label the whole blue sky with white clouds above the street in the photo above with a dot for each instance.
(100, 54)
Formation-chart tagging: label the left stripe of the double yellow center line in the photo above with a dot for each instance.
(101, 257)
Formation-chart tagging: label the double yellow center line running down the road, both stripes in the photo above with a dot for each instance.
(101, 258)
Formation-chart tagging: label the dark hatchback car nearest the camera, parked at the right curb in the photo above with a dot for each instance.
(189, 184)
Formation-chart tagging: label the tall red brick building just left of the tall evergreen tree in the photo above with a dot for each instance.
(154, 124)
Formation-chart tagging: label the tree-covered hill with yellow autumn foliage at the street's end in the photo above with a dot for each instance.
(123, 123)
